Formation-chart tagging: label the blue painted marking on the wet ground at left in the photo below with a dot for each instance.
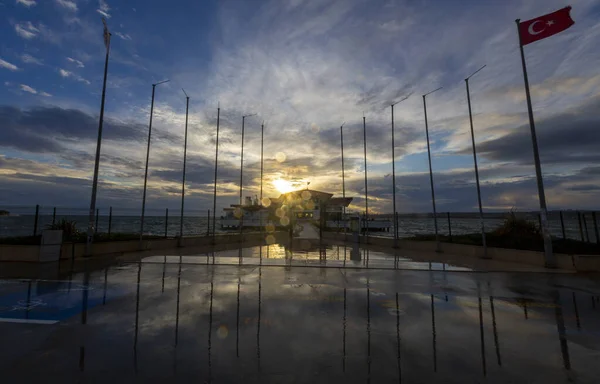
(48, 300)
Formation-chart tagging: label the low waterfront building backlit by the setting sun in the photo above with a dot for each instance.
(303, 204)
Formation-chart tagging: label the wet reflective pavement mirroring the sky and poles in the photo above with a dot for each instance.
(300, 317)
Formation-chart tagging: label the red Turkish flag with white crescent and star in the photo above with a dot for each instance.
(545, 26)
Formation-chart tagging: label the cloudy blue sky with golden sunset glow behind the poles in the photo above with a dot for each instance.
(304, 67)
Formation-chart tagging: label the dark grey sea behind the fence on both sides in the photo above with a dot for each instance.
(21, 222)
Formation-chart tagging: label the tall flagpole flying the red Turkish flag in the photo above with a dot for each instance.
(550, 260)
